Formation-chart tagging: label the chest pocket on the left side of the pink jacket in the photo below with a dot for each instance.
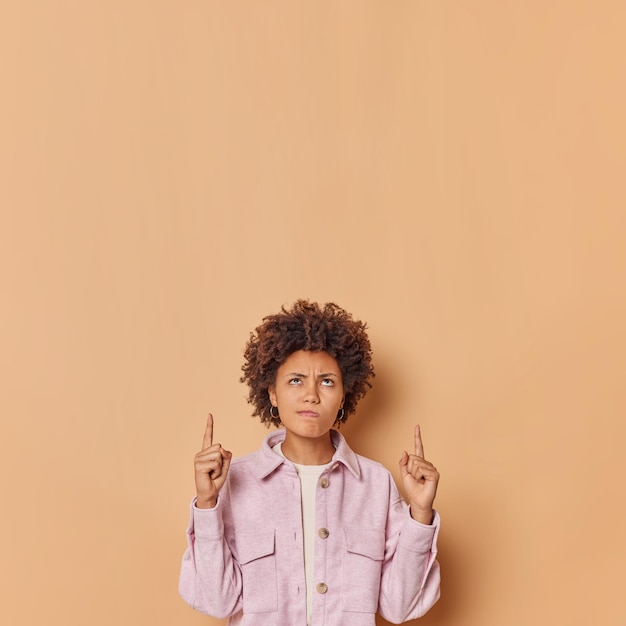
(257, 558)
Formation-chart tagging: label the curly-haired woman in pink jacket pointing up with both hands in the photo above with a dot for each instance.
(304, 531)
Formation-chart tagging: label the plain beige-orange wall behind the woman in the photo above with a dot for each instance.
(451, 172)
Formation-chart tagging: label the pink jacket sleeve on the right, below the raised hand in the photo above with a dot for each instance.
(410, 574)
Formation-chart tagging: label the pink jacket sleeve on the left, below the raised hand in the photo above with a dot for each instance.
(210, 578)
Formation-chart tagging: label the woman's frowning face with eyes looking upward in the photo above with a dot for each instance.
(308, 393)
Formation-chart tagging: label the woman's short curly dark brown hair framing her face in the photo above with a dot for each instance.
(312, 327)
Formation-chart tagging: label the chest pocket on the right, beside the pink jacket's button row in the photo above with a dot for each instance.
(362, 566)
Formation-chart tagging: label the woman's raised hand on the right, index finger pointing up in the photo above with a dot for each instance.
(420, 479)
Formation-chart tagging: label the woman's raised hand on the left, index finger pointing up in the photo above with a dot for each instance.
(211, 466)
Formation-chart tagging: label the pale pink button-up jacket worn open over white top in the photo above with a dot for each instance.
(245, 557)
